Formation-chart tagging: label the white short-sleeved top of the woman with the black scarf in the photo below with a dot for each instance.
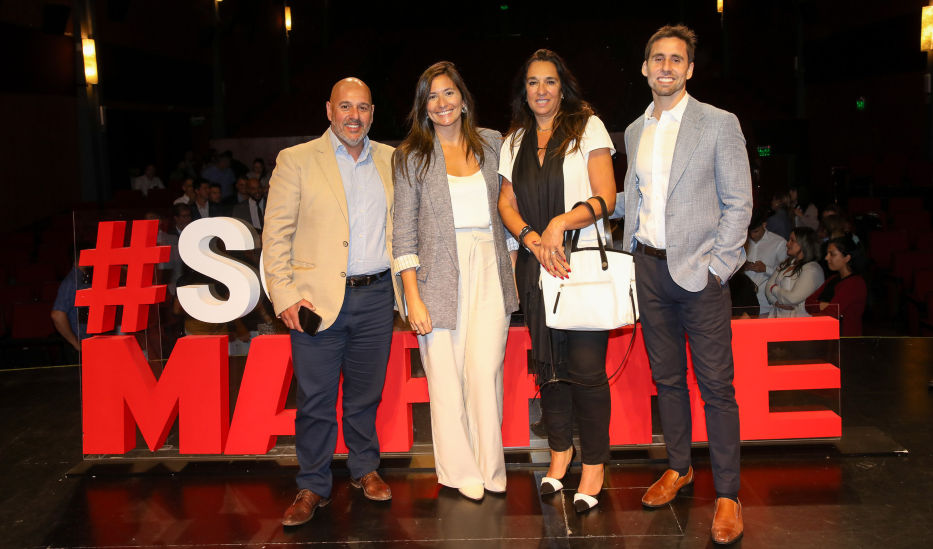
(576, 173)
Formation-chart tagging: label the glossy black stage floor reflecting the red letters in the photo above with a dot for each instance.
(859, 493)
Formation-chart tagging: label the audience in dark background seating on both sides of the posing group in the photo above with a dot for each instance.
(870, 259)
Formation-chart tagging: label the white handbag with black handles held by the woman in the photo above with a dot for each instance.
(599, 293)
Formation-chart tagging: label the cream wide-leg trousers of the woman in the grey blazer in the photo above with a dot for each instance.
(464, 371)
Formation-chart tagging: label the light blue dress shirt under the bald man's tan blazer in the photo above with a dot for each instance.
(366, 207)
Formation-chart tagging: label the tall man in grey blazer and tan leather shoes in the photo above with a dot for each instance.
(688, 191)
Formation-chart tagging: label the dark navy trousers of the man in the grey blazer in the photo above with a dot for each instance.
(667, 313)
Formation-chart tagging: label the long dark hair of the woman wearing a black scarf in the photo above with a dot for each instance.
(574, 111)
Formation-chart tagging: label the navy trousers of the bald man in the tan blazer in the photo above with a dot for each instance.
(357, 346)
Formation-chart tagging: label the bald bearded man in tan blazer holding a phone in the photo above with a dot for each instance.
(327, 244)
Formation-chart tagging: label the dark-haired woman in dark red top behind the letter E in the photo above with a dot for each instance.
(845, 292)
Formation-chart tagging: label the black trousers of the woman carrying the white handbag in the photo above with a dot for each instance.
(588, 404)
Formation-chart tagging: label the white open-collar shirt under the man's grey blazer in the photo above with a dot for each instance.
(653, 169)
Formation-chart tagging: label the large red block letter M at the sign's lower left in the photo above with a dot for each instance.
(118, 386)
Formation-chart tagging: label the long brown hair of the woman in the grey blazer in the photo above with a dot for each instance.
(419, 143)
